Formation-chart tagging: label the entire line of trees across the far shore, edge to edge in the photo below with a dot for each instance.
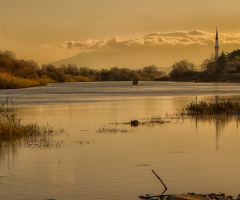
(227, 65)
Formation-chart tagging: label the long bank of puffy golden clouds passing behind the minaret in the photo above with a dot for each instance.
(184, 38)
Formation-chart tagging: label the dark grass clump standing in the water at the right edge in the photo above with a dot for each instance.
(213, 108)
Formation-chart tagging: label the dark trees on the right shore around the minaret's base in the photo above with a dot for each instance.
(225, 68)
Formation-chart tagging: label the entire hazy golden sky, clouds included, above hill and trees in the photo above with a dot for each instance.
(51, 30)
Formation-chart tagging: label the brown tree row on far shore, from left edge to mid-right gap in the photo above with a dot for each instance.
(71, 72)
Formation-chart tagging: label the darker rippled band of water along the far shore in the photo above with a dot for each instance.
(103, 91)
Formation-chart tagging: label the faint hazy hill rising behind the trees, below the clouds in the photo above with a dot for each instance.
(135, 58)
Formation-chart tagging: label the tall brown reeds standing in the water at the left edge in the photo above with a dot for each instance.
(11, 128)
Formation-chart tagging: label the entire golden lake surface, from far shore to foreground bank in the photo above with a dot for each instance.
(189, 155)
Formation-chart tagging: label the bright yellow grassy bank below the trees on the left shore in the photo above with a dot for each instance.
(8, 81)
